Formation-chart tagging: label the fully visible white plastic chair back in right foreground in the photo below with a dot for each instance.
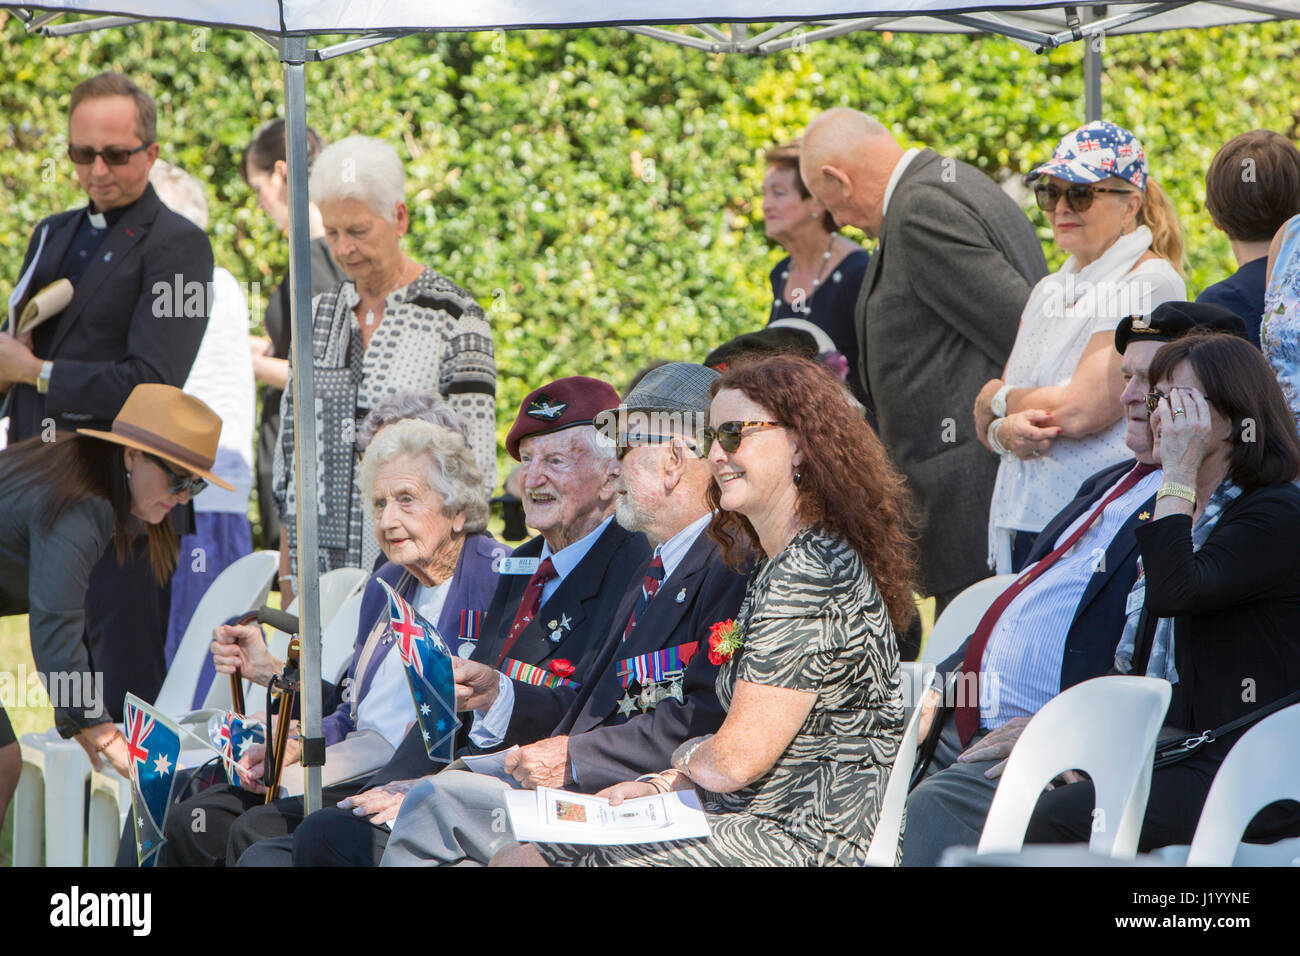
(1106, 728)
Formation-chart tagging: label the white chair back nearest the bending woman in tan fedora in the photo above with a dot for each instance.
(239, 589)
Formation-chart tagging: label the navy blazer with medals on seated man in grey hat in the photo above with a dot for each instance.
(606, 747)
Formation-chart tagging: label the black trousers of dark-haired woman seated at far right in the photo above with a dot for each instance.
(1178, 795)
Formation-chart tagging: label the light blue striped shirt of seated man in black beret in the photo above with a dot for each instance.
(1021, 669)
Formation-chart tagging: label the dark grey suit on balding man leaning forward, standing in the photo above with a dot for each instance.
(938, 315)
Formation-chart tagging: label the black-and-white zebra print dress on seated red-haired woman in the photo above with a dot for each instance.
(813, 621)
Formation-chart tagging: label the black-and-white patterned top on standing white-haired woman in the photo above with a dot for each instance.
(434, 336)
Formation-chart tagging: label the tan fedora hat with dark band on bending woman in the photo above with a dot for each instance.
(166, 422)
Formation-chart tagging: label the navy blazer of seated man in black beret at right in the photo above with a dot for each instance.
(1099, 618)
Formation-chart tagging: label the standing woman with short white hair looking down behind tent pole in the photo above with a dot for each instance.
(393, 326)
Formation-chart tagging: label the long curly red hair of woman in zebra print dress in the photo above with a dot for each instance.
(848, 485)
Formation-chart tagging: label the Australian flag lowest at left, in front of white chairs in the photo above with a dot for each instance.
(154, 746)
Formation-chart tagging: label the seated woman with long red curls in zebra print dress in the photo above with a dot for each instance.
(796, 775)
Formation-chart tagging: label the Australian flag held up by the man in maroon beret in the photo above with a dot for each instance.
(428, 667)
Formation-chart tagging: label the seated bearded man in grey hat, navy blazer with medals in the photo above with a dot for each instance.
(625, 720)
